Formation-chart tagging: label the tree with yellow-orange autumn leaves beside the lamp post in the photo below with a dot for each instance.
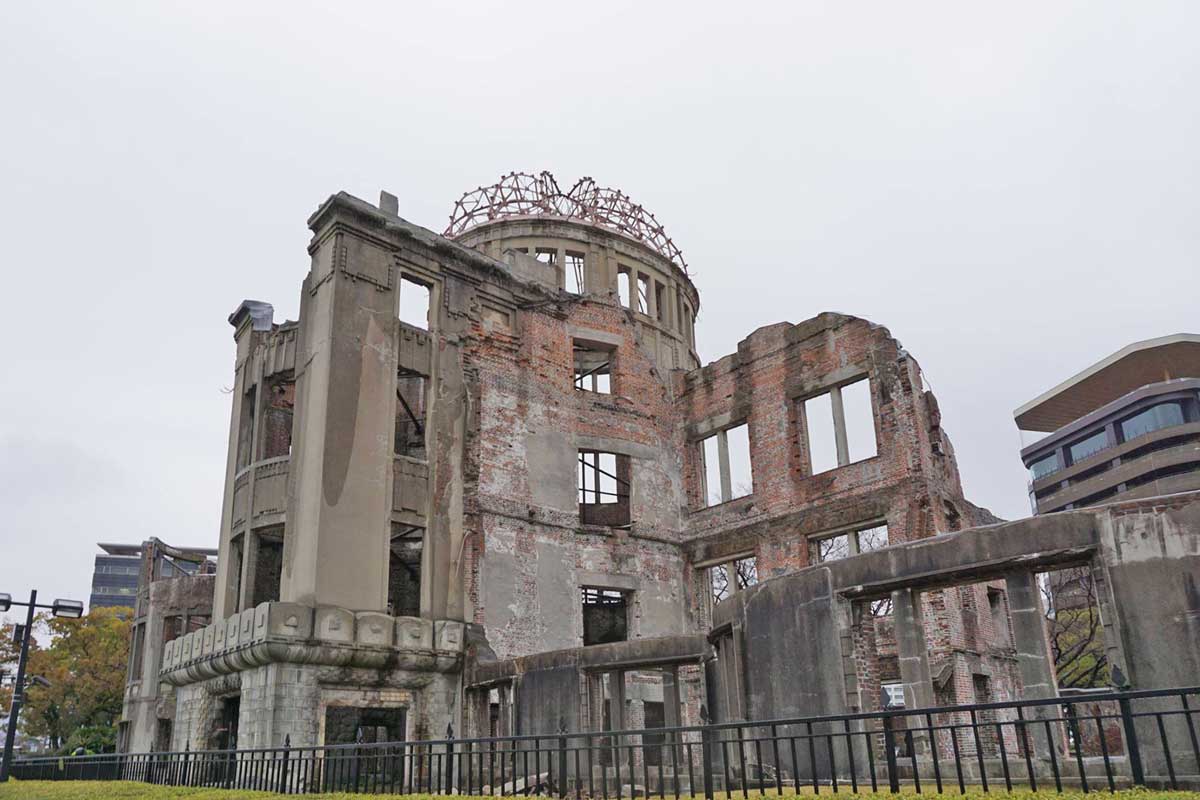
(86, 665)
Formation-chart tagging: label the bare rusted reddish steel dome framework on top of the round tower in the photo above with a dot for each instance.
(521, 195)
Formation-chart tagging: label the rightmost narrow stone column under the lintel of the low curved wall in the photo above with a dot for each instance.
(1033, 652)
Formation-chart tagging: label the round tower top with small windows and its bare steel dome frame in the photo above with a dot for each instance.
(591, 240)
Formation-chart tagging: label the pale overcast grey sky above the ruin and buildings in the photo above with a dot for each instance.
(1012, 190)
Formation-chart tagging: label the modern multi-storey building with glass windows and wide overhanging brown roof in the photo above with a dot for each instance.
(1126, 428)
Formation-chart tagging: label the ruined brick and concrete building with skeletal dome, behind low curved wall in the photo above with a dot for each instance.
(500, 442)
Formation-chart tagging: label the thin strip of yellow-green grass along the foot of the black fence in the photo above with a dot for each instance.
(129, 791)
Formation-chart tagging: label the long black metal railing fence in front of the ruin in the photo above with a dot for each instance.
(1095, 742)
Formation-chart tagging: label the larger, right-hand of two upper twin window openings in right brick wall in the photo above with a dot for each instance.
(839, 428)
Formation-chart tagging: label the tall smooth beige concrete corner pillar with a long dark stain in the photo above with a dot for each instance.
(341, 471)
